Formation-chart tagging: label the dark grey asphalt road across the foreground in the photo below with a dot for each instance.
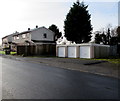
(25, 80)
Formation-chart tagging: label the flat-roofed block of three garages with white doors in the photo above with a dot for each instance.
(86, 50)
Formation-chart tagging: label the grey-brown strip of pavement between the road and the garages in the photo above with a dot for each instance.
(84, 65)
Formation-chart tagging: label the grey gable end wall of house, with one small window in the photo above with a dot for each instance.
(38, 35)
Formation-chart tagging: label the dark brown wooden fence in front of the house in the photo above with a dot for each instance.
(43, 49)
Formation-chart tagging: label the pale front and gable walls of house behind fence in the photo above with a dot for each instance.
(35, 35)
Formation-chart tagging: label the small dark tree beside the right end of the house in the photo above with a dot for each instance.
(54, 28)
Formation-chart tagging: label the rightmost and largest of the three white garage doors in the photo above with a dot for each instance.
(84, 51)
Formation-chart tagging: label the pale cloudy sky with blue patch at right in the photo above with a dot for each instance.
(18, 15)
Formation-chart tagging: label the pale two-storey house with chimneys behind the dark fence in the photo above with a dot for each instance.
(40, 35)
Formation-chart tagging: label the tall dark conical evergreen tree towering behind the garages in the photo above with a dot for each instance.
(77, 25)
